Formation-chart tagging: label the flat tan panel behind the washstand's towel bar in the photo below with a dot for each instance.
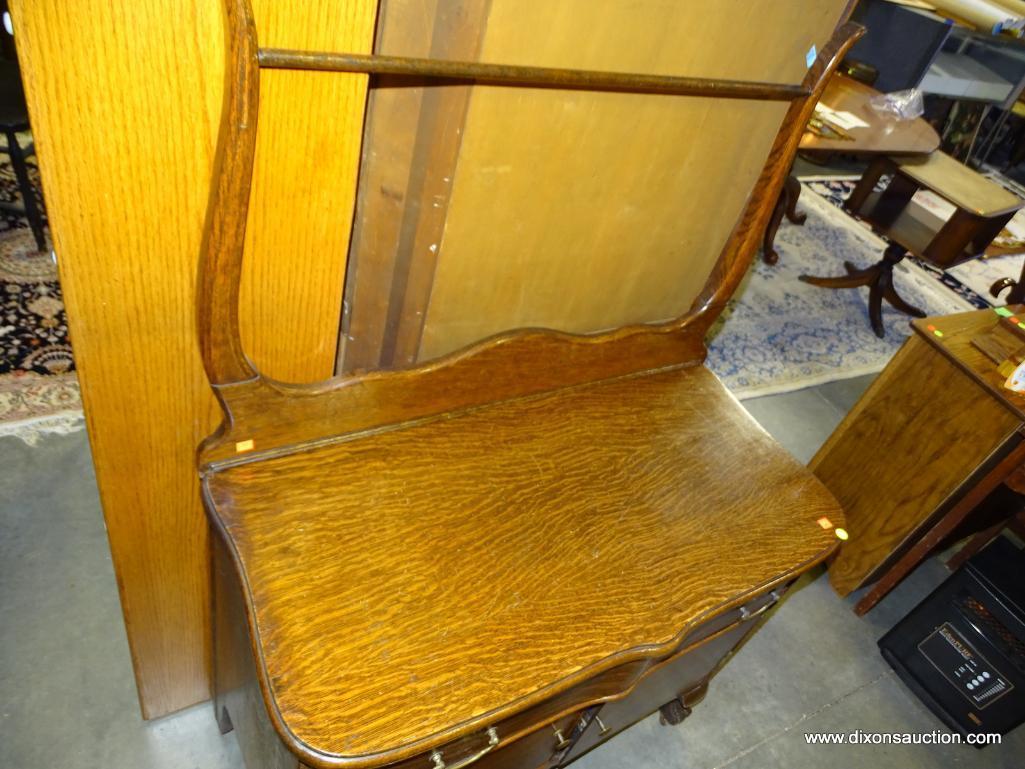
(586, 212)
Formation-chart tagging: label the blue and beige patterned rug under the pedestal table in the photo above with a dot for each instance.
(781, 335)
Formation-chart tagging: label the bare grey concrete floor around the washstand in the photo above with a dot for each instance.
(67, 697)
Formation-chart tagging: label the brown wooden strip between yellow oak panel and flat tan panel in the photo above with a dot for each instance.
(409, 155)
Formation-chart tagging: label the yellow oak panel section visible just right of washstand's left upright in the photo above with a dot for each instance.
(308, 150)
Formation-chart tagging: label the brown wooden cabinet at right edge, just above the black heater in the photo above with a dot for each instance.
(932, 437)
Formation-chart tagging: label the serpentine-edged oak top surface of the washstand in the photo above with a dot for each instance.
(377, 634)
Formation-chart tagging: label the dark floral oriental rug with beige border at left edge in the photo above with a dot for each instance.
(38, 390)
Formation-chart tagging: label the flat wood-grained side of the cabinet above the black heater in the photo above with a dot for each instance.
(936, 425)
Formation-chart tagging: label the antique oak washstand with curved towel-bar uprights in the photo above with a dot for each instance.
(506, 556)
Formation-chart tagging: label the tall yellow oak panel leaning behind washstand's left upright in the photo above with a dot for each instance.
(126, 102)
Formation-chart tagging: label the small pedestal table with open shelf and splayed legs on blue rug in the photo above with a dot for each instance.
(982, 211)
